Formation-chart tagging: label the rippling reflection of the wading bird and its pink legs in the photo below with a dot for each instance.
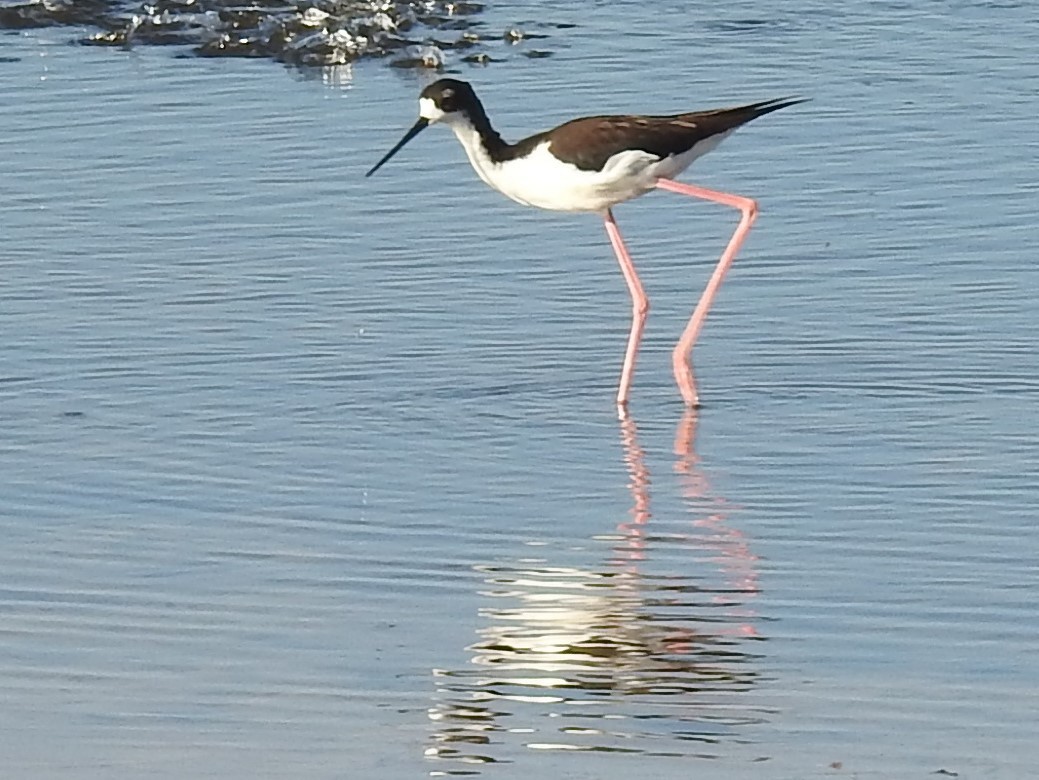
(646, 654)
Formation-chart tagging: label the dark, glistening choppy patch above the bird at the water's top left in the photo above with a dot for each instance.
(410, 34)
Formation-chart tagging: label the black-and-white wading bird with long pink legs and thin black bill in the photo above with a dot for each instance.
(594, 164)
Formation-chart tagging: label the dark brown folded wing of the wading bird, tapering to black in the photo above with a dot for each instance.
(590, 143)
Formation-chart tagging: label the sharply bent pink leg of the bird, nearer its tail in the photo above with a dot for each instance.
(683, 351)
